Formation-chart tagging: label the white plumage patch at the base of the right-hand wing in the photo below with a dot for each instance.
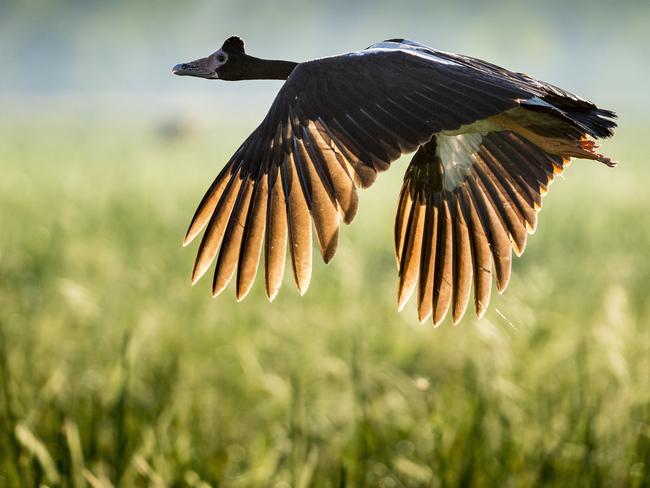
(457, 155)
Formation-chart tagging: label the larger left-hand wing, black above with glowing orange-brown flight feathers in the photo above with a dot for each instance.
(333, 126)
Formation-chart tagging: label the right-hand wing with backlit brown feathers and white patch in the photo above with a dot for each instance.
(480, 194)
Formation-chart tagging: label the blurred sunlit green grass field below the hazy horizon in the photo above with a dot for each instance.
(114, 371)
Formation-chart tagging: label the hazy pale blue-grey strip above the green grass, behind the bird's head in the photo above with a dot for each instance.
(114, 58)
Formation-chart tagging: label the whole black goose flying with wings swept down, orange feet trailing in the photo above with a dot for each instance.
(487, 141)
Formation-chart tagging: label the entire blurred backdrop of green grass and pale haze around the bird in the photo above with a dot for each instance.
(114, 371)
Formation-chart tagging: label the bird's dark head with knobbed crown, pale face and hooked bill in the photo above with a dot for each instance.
(223, 64)
